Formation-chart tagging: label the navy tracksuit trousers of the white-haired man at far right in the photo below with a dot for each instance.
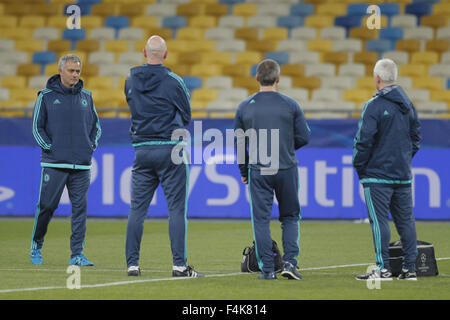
(396, 199)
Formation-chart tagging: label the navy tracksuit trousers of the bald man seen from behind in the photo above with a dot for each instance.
(153, 165)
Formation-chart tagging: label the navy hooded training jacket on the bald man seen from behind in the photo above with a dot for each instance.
(159, 104)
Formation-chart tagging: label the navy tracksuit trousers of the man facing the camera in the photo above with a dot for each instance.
(53, 181)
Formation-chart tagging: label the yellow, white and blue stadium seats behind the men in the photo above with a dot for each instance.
(325, 50)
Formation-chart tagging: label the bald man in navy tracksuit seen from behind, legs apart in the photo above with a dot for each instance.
(159, 104)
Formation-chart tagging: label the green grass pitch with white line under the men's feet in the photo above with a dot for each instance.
(332, 253)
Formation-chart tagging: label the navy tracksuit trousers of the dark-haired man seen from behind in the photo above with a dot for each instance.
(261, 190)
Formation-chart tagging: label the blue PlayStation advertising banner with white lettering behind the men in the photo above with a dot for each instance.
(329, 187)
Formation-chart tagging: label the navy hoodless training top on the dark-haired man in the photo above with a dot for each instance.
(273, 110)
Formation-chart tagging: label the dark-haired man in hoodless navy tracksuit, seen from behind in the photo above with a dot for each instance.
(280, 127)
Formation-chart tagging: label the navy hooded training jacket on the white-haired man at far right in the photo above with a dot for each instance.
(388, 137)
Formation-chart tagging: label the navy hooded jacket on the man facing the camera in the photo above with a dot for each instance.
(65, 125)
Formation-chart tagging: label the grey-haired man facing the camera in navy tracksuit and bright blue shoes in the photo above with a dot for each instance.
(67, 128)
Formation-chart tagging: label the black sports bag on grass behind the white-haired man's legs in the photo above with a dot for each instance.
(425, 263)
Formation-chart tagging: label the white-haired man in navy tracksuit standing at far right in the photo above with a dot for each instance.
(388, 137)
